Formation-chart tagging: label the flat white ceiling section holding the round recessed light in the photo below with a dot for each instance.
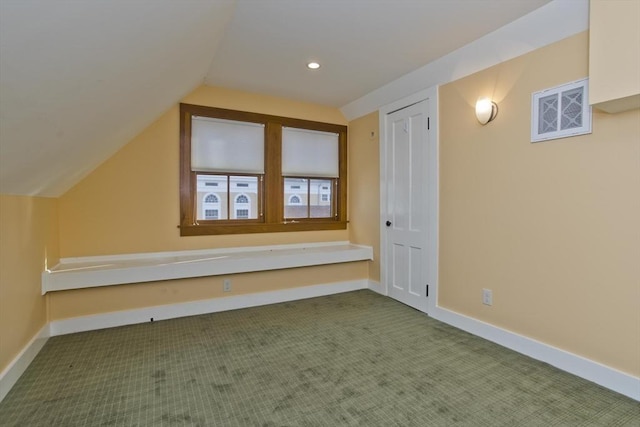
(361, 44)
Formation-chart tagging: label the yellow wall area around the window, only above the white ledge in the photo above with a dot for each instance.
(130, 203)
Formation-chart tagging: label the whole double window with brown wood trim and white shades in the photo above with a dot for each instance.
(269, 173)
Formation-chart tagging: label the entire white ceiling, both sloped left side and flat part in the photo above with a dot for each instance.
(79, 79)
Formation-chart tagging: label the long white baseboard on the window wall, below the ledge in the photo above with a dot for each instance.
(142, 315)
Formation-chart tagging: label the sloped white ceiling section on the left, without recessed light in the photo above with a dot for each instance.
(79, 79)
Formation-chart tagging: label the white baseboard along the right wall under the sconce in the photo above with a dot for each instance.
(577, 365)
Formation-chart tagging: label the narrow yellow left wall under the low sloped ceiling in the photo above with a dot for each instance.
(28, 242)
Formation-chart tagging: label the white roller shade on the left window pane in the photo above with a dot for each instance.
(219, 145)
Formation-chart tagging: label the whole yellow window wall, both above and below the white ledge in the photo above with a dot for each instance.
(130, 204)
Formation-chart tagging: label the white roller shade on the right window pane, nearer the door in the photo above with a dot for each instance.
(309, 153)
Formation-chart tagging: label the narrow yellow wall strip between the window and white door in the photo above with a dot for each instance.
(364, 187)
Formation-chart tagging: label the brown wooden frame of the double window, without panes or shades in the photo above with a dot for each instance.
(272, 193)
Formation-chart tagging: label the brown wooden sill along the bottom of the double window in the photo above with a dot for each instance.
(211, 229)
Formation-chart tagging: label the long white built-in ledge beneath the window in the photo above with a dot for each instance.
(88, 272)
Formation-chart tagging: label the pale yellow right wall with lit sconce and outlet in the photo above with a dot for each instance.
(552, 227)
